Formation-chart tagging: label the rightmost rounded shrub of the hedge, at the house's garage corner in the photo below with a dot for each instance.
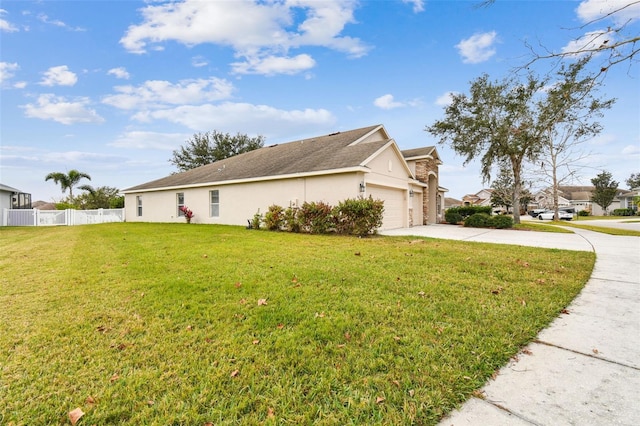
(361, 216)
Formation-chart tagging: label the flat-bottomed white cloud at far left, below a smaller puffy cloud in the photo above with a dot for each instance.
(57, 108)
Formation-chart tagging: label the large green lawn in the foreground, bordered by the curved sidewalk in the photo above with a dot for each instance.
(188, 324)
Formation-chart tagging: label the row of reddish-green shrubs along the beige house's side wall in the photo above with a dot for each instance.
(361, 216)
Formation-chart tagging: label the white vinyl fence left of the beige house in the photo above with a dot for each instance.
(35, 217)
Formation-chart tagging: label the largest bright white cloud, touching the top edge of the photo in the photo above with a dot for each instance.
(259, 32)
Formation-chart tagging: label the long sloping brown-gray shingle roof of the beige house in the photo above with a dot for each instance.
(330, 152)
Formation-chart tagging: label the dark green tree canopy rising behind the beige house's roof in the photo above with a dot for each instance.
(209, 147)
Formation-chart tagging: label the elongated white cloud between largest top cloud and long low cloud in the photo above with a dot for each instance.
(159, 93)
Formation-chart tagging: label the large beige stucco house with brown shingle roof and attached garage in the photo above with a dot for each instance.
(361, 162)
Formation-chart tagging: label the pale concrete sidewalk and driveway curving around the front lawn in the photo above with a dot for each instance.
(584, 369)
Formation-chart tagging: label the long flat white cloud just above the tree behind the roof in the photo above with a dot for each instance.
(248, 118)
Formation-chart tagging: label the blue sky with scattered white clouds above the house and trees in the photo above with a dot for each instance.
(111, 88)
